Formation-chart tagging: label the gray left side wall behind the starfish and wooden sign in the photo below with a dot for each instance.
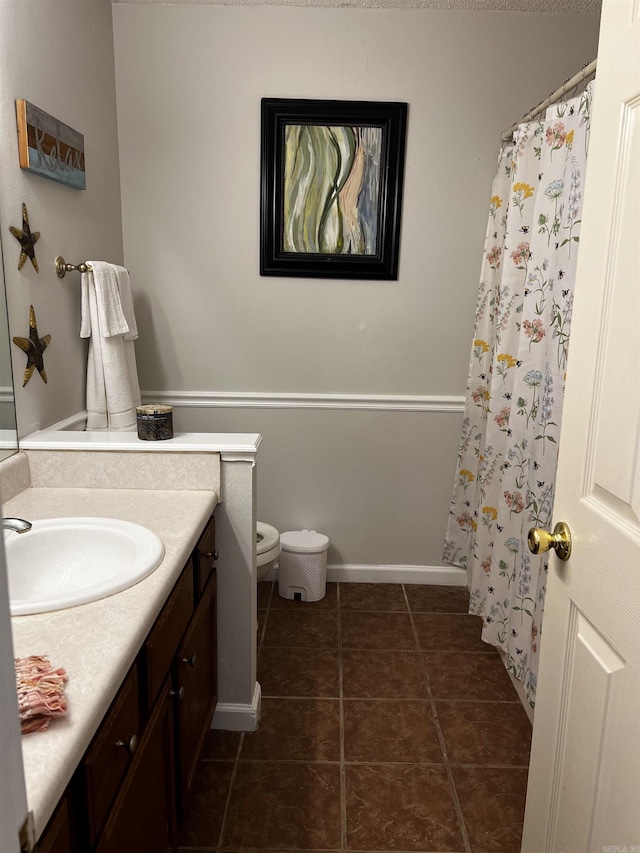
(58, 54)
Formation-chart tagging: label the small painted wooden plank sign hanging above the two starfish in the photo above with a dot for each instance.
(50, 148)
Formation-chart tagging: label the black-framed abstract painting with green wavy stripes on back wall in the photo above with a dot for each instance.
(328, 124)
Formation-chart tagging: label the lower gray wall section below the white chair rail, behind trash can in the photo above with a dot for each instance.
(372, 481)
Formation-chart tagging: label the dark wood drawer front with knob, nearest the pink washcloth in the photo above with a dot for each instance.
(109, 757)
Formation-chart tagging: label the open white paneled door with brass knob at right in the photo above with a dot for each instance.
(584, 779)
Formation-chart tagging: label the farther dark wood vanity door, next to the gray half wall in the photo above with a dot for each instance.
(196, 686)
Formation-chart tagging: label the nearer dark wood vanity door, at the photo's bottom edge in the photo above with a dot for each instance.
(143, 817)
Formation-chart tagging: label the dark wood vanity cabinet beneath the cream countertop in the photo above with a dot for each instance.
(134, 781)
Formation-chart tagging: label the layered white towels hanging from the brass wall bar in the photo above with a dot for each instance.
(113, 391)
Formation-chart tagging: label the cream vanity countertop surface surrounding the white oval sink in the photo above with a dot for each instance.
(96, 643)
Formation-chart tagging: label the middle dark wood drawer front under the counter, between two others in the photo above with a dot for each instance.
(168, 630)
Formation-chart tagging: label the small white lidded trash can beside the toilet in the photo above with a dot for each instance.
(303, 565)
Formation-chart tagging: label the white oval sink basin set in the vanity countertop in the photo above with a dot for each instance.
(62, 562)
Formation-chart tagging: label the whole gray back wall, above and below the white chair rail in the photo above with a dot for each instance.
(189, 83)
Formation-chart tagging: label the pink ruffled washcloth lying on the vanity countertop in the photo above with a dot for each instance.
(40, 692)
